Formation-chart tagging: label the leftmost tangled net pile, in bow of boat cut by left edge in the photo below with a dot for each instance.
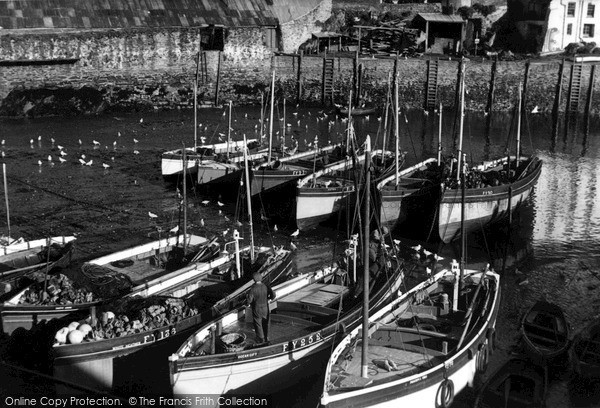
(55, 290)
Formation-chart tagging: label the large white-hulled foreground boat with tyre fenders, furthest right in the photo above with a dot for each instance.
(423, 348)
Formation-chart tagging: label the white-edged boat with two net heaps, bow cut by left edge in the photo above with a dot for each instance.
(134, 271)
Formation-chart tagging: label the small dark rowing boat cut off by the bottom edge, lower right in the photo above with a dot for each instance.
(518, 383)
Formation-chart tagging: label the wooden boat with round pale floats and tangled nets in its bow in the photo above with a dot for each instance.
(95, 362)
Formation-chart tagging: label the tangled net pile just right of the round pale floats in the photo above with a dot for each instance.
(137, 315)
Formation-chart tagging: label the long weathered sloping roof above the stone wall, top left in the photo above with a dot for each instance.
(100, 14)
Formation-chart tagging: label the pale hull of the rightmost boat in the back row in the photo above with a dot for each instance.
(483, 206)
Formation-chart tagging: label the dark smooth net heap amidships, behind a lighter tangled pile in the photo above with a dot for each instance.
(104, 282)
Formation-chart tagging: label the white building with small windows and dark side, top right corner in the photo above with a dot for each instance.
(547, 26)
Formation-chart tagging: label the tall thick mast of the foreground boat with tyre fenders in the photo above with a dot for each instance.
(365, 328)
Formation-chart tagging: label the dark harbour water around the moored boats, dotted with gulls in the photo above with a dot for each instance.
(553, 246)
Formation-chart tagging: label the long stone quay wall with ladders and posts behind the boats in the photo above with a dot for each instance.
(74, 72)
